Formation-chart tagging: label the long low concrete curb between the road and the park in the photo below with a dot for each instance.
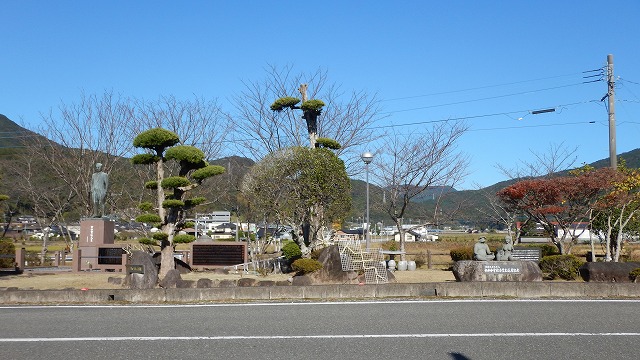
(325, 292)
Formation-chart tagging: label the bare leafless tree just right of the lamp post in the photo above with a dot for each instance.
(407, 169)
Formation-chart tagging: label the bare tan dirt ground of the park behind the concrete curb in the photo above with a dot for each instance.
(99, 280)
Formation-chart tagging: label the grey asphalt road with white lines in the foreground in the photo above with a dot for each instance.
(468, 329)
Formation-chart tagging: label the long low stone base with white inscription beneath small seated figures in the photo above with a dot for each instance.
(468, 270)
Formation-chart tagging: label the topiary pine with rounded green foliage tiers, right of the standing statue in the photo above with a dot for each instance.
(172, 202)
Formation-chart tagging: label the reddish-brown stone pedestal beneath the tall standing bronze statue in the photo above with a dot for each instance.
(93, 233)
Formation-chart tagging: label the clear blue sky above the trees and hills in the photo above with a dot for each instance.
(491, 62)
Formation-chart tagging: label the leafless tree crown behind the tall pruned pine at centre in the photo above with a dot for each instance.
(346, 118)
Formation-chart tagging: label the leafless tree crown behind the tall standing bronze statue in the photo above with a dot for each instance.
(75, 138)
